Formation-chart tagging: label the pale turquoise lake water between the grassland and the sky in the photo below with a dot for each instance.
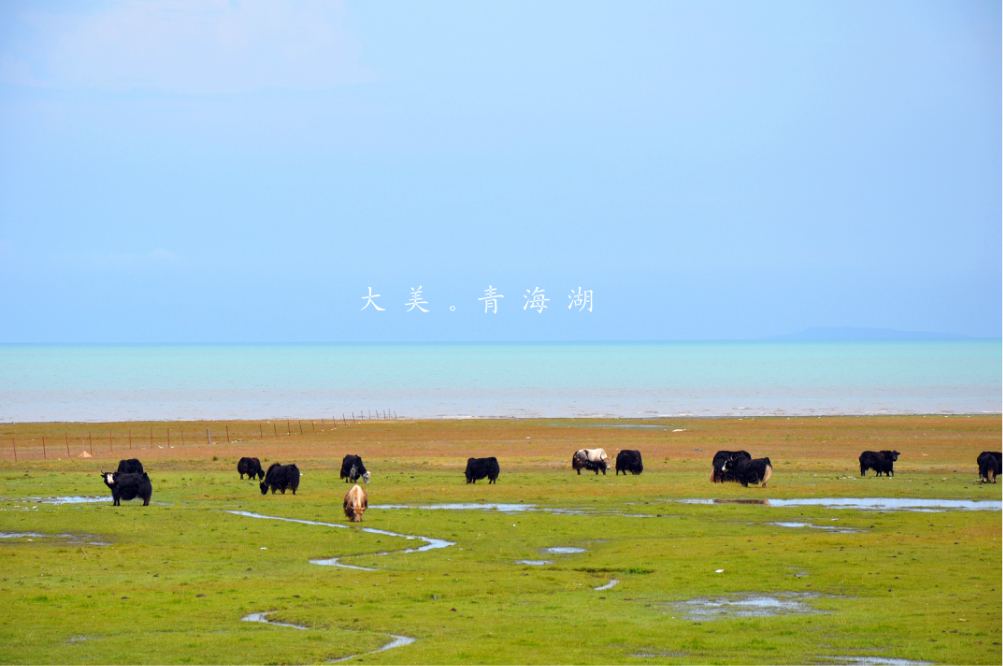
(90, 384)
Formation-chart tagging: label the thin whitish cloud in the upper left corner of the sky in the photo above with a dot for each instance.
(184, 47)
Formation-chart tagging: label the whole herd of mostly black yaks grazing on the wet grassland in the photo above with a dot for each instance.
(131, 481)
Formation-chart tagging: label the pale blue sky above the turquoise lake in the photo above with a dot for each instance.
(242, 172)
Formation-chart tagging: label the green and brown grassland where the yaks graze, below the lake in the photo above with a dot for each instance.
(174, 580)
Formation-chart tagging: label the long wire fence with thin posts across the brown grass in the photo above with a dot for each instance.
(92, 443)
